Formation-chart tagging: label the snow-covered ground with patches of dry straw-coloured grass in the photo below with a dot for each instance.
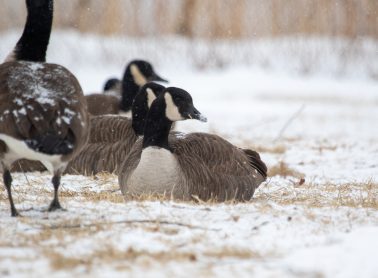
(316, 216)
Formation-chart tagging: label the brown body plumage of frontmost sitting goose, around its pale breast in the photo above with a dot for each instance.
(209, 168)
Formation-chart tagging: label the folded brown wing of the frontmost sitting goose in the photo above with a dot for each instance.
(214, 168)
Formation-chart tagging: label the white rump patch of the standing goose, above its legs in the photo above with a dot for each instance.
(18, 149)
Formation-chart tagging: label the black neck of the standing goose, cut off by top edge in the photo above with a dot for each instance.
(32, 45)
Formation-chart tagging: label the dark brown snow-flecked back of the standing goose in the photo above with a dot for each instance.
(42, 104)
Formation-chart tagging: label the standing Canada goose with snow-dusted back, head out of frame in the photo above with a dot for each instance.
(42, 111)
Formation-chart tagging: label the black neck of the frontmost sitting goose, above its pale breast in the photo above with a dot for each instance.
(157, 126)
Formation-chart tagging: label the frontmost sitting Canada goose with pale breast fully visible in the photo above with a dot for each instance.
(183, 166)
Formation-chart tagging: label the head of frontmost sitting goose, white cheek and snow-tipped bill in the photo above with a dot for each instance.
(179, 106)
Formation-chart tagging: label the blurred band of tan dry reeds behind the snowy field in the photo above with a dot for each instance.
(231, 19)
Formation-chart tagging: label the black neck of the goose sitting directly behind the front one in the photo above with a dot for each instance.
(139, 113)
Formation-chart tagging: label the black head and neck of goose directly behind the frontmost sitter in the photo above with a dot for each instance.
(142, 103)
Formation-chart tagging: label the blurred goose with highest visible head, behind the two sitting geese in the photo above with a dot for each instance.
(137, 73)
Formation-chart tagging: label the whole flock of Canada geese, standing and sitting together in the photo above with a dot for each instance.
(46, 123)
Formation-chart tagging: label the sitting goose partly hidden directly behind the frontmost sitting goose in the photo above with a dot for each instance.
(112, 136)
